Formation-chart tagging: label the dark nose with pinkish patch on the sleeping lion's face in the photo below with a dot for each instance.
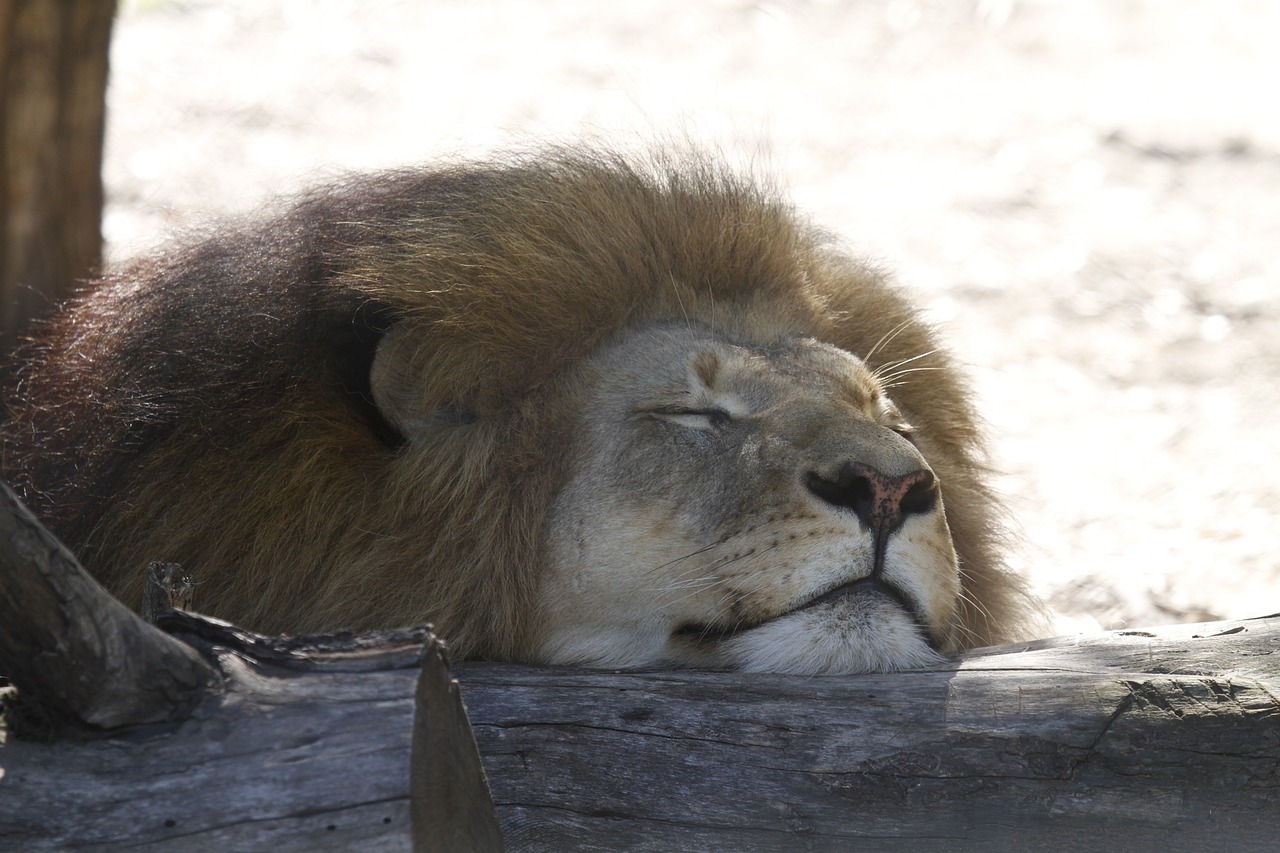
(880, 501)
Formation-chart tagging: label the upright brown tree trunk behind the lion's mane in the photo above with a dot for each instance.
(53, 84)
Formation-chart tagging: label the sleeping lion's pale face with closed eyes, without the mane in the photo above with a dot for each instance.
(757, 508)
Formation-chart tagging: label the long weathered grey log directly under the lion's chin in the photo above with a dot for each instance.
(1164, 740)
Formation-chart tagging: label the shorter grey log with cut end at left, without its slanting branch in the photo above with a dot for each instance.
(308, 749)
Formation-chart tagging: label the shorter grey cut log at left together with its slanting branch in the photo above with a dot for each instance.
(84, 664)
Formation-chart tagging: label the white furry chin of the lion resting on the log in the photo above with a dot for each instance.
(856, 635)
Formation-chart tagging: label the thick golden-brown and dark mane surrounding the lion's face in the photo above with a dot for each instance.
(212, 405)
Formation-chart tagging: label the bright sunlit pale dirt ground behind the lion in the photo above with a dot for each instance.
(1086, 194)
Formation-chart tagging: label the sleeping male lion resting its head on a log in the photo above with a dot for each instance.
(573, 408)
